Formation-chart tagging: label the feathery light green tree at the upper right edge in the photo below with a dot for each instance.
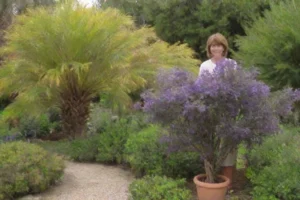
(273, 45)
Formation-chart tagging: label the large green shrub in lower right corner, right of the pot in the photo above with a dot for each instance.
(274, 167)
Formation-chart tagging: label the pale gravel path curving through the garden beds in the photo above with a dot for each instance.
(89, 182)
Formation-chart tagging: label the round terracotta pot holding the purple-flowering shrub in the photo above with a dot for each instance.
(211, 191)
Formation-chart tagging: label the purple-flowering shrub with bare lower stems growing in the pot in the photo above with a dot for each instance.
(217, 111)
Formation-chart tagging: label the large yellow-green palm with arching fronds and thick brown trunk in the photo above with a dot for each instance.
(67, 55)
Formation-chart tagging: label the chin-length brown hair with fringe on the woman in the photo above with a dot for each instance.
(218, 39)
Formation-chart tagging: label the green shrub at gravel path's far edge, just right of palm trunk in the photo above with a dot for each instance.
(112, 141)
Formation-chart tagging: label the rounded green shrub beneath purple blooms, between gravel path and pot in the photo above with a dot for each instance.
(148, 156)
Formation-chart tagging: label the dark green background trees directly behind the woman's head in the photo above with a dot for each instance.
(193, 21)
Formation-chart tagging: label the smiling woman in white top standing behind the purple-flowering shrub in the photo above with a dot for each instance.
(217, 49)
